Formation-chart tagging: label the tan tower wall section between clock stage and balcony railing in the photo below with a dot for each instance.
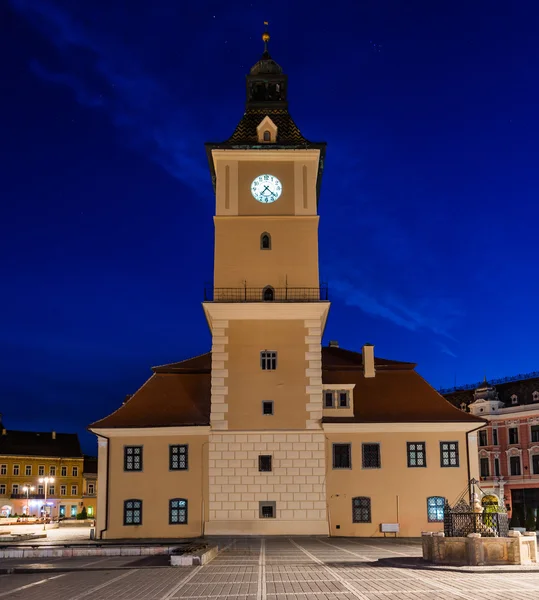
(293, 257)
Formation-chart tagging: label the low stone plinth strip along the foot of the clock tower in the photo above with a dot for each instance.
(266, 527)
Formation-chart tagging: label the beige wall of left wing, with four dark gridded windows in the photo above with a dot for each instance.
(155, 486)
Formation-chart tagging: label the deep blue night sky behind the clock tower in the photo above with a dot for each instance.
(429, 205)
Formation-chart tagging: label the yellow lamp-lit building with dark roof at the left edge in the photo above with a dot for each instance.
(27, 459)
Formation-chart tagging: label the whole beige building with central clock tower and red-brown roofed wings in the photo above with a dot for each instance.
(271, 433)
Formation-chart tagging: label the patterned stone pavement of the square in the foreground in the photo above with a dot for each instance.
(281, 569)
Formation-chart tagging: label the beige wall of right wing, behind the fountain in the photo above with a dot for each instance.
(394, 479)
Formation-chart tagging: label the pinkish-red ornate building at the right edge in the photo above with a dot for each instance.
(509, 445)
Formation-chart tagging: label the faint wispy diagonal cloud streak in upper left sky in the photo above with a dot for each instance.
(105, 75)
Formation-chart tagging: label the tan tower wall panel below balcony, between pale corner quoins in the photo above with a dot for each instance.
(248, 385)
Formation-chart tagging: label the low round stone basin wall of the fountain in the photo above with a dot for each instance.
(475, 550)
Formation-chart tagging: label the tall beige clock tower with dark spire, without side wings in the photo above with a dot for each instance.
(266, 311)
